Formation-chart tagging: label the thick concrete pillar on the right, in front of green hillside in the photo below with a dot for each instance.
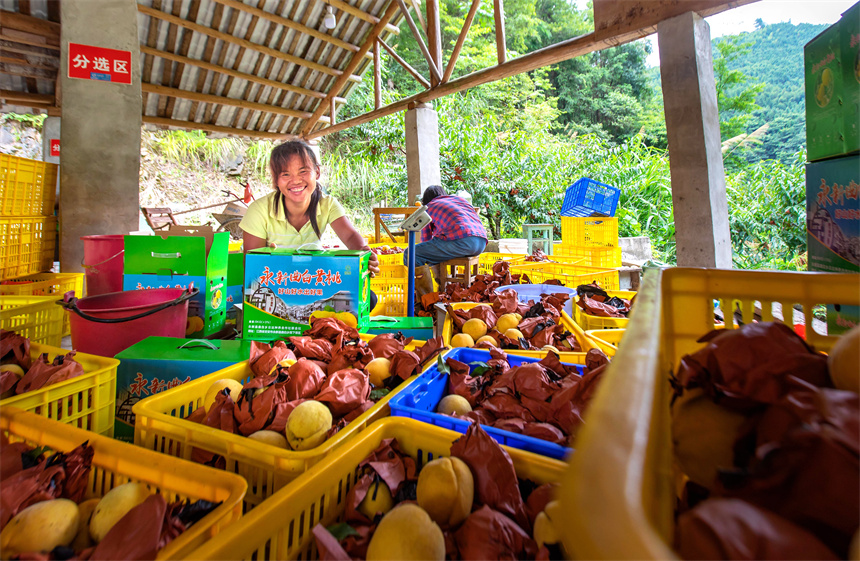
(693, 130)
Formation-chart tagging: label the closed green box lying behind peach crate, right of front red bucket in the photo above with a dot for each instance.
(157, 364)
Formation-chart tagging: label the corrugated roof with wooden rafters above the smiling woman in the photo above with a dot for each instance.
(261, 66)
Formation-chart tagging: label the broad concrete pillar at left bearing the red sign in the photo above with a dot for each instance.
(100, 137)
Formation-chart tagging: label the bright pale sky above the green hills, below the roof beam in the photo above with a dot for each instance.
(742, 19)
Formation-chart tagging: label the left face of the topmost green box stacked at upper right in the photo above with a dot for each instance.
(825, 95)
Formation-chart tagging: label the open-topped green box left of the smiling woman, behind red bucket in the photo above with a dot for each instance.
(177, 258)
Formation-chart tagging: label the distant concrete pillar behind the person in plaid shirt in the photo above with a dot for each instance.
(422, 151)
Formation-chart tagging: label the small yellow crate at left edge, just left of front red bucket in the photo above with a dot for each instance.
(37, 317)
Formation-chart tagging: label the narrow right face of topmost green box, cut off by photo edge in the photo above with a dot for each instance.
(850, 35)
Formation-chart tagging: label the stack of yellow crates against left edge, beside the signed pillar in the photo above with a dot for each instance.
(28, 228)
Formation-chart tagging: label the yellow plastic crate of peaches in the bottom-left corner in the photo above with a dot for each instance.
(115, 463)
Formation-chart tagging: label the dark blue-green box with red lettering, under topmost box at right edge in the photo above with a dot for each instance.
(833, 227)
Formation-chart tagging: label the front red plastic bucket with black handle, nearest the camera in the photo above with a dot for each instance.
(109, 323)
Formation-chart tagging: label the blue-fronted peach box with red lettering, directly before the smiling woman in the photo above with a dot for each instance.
(284, 288)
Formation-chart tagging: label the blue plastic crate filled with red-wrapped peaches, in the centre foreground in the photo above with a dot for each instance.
(420, 399)
